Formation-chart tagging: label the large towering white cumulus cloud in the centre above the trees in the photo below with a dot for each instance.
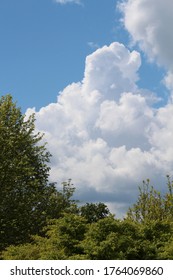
(104, 133)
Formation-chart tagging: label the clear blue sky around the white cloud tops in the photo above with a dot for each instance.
(44, 45)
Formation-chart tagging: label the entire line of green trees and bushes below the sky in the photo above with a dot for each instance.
(39, 221)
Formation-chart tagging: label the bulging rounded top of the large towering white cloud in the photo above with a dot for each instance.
(111, 71)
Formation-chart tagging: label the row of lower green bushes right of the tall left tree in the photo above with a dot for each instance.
(75, 235)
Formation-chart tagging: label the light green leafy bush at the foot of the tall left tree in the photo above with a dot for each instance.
(61, 241)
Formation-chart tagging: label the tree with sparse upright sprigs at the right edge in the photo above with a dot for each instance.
(154, 213)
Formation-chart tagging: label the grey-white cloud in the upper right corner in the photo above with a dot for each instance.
(149, 23)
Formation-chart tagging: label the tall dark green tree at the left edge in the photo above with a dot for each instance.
(25, 190)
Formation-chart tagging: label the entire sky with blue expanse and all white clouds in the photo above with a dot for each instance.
(99, 77)
